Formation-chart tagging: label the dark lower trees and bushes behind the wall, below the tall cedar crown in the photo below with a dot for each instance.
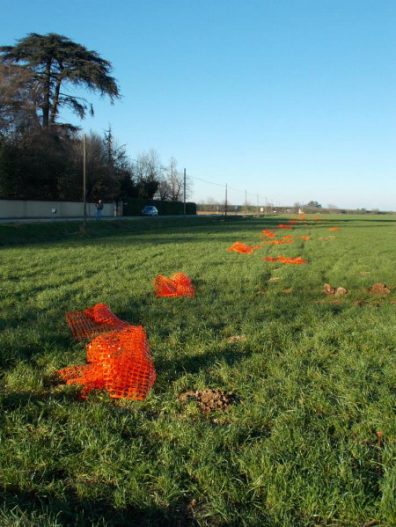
(47, 164)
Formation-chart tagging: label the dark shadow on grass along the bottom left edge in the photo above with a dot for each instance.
(72, 510)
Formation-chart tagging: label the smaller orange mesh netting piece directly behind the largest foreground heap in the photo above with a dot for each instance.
(93, 321)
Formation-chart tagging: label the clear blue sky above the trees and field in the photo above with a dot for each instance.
(294, 100)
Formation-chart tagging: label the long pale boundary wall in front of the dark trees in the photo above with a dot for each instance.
(16, 209)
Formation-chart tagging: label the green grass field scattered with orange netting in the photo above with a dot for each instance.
(313, 376)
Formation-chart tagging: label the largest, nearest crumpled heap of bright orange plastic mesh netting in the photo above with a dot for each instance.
(118, 362)
